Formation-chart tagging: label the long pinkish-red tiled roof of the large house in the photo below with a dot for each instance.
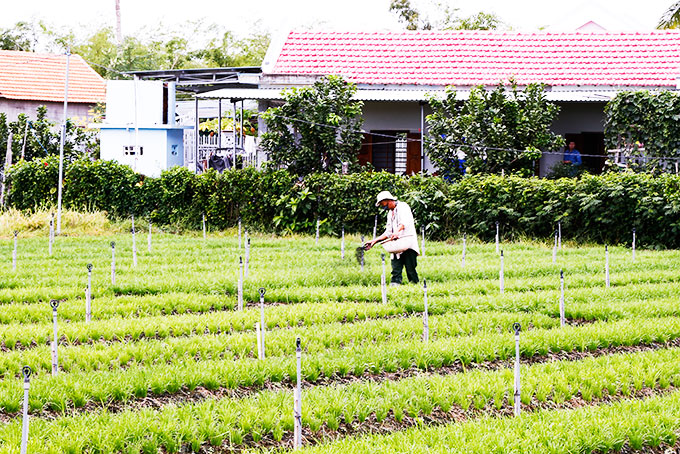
(480, 57)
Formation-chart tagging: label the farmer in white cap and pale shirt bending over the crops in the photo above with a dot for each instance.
(401, 236)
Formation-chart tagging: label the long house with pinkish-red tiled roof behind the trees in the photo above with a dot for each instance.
(396, 72)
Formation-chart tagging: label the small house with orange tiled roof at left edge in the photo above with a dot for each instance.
(31, 79)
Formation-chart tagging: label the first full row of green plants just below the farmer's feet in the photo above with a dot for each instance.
(478, 294)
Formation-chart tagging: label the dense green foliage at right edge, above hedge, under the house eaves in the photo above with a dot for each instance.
(644, 124)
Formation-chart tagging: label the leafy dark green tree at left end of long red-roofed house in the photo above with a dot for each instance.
(317, 129)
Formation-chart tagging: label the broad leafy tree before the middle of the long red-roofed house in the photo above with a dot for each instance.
(492, 131)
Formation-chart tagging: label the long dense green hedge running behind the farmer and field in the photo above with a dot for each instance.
(594, 208)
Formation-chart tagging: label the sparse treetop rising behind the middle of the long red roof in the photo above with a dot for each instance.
(447, 19)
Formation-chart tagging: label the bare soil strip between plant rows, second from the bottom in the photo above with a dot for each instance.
(199, 394)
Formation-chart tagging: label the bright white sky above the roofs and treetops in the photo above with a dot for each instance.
(278, 16)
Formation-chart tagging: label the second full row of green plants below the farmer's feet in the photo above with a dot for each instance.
(645, 301)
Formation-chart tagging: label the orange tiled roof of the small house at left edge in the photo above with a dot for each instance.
(41, 77)
